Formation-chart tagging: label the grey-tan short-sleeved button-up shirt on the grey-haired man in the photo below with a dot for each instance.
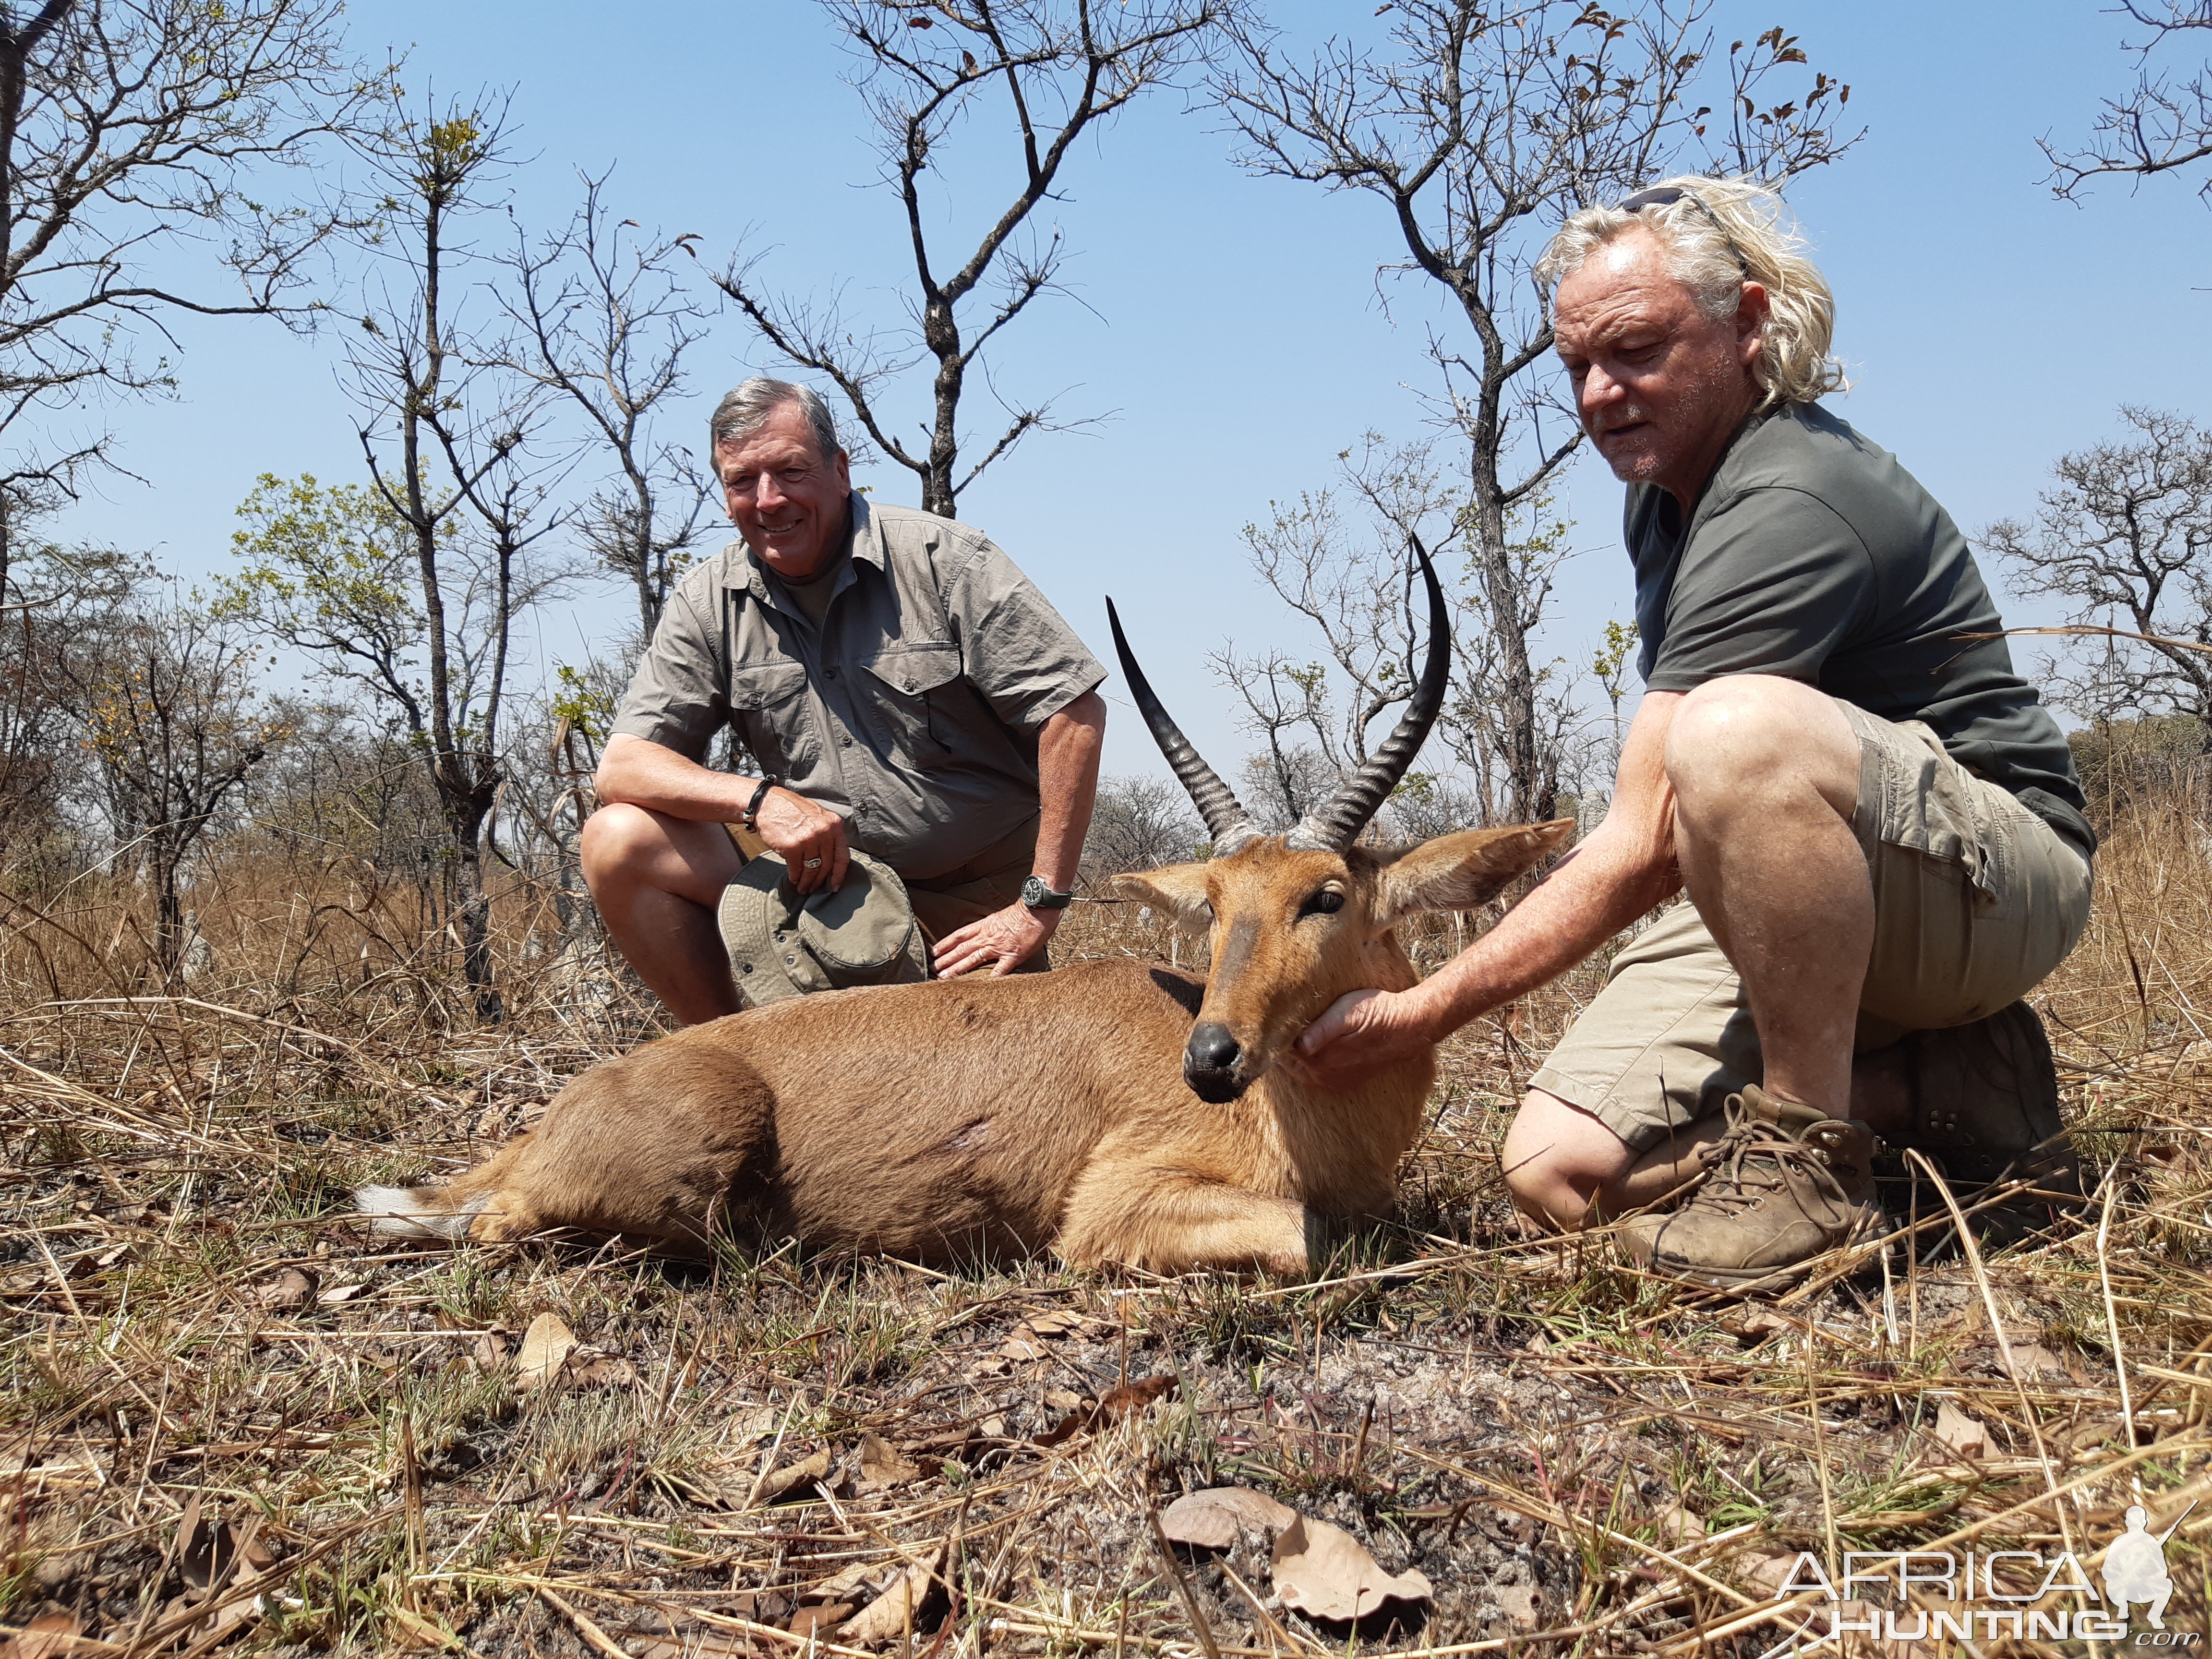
(915, 709)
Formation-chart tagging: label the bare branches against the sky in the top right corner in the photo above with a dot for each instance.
(2164, 123)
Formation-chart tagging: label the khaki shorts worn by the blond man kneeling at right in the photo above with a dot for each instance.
(1976, 901)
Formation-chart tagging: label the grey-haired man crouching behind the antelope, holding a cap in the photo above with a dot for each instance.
(901, 685)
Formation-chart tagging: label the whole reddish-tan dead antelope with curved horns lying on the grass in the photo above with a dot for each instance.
(1114, 1112)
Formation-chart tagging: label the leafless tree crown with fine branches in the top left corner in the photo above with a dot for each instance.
(136, 134)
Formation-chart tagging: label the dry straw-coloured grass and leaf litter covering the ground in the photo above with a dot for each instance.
(233, 1419)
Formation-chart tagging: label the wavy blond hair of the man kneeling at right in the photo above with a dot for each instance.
(1720, 236)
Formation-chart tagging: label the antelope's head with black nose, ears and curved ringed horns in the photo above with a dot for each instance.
(1295, 921)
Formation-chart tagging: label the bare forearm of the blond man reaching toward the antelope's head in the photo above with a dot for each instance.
(1576, 910)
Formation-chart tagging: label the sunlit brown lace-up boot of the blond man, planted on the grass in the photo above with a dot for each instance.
(1784, 1185)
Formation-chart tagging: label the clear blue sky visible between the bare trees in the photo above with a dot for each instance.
(1231, 326)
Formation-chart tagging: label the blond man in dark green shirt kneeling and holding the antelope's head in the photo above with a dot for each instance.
(1872, 815)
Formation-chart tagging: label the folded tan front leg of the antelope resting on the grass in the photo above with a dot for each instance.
(1178, 1220)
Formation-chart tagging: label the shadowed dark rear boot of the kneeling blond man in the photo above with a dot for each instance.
(1987, 1109)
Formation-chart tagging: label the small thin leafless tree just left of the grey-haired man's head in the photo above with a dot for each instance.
(603, 322)
